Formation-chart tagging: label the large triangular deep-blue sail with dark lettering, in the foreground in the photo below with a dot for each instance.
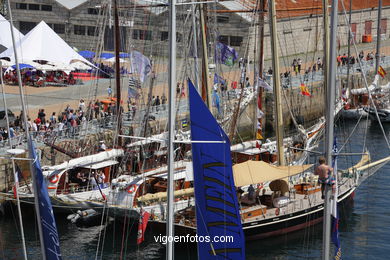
(217, 209)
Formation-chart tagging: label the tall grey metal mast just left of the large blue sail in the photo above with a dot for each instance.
(171, 127)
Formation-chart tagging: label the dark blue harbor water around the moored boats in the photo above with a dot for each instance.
(364, 226)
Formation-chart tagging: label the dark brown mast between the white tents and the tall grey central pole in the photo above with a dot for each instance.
(117, 70)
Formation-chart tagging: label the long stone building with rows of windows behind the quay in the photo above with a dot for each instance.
(145, 27)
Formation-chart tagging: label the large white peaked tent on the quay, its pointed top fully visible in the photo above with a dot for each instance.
(42, 43)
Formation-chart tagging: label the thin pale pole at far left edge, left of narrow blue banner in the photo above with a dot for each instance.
(16, 182)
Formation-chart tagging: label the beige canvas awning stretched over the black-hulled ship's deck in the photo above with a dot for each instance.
(251, 172)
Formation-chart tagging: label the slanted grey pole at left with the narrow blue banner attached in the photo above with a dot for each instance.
(29, 141)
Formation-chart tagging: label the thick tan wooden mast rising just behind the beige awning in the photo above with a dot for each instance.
(276, 83)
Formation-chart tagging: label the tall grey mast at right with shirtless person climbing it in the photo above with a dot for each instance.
(329, 134)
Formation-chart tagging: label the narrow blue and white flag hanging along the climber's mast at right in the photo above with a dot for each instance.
(334, 211)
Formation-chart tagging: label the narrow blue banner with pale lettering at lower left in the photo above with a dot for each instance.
(51, 242)
